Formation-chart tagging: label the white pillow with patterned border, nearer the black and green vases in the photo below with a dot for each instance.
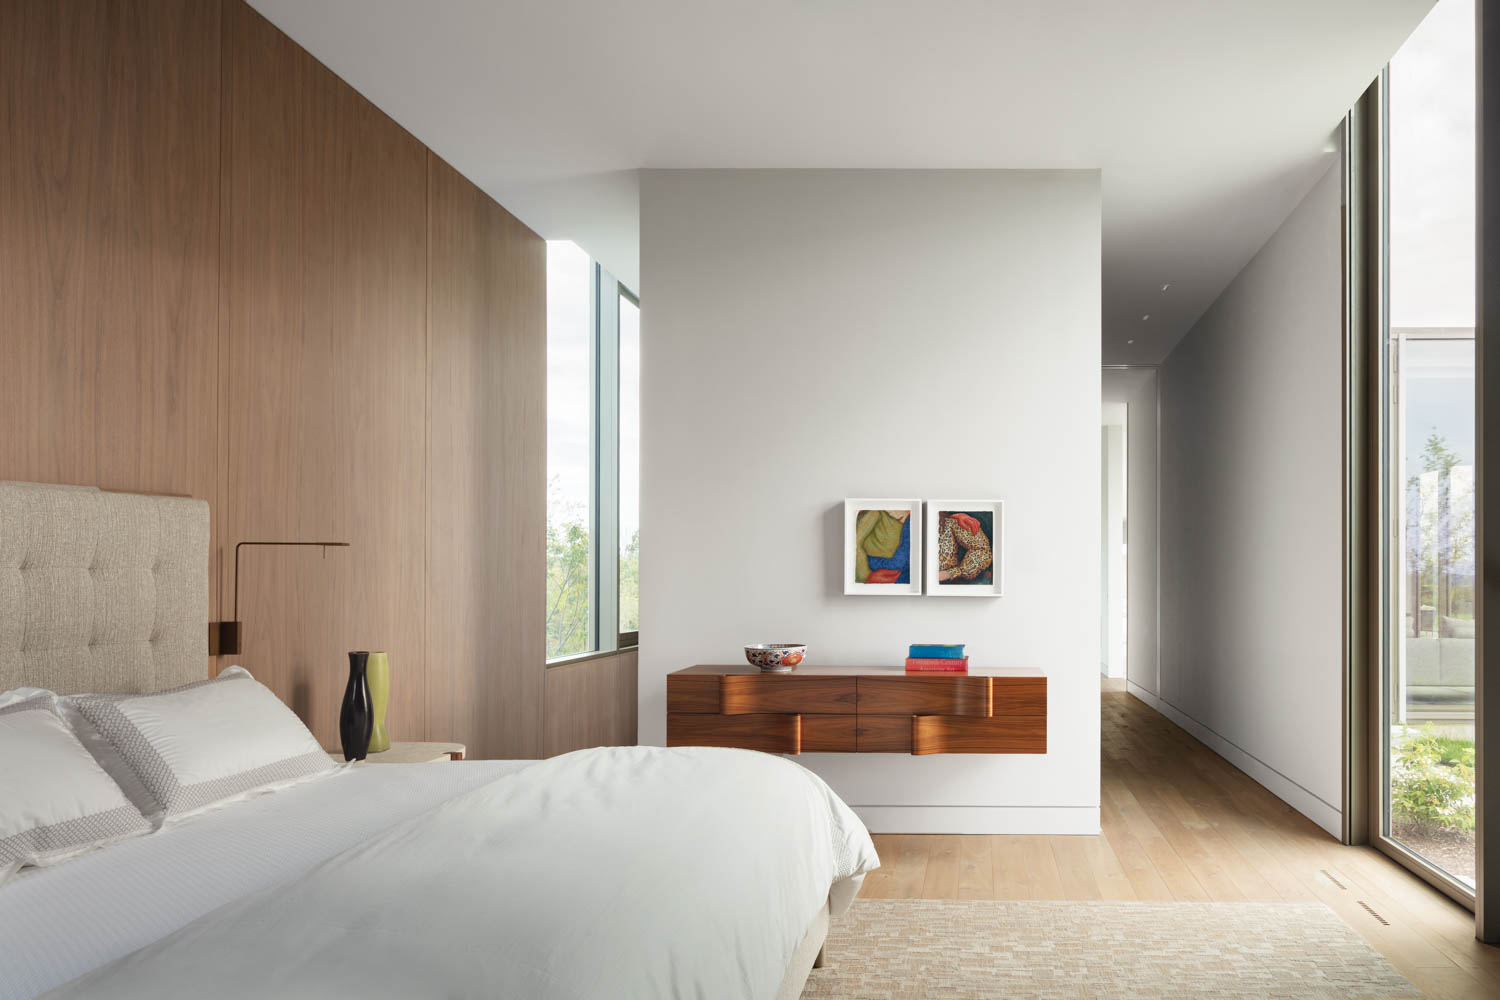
(206, 743)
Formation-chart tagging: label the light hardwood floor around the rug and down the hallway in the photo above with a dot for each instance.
(1183, 824)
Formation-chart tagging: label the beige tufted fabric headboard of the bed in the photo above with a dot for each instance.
(101, 591)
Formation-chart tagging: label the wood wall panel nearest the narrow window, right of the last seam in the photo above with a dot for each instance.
(487, 440)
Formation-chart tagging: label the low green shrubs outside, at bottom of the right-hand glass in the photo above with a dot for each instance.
(1433, 782)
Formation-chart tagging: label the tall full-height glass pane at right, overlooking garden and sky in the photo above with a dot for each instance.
(1427, 684)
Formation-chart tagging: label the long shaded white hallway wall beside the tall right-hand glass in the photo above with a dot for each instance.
(1252, 518)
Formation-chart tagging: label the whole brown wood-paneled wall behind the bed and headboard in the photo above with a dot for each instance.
(227, 275)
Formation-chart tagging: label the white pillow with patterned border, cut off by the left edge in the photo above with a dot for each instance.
(56, 801)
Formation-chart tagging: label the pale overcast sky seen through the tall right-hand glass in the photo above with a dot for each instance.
(1433, 172)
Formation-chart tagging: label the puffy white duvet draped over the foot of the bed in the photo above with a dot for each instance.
(631, 872)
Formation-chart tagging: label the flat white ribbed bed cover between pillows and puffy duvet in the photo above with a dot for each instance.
(58, 924)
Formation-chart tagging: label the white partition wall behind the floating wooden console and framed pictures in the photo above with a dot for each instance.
(809, 337)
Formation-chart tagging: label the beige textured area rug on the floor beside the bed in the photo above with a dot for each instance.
(965, 950)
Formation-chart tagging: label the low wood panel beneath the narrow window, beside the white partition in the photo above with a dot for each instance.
(592, 704)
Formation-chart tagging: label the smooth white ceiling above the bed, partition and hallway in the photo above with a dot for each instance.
(1210, 119)
